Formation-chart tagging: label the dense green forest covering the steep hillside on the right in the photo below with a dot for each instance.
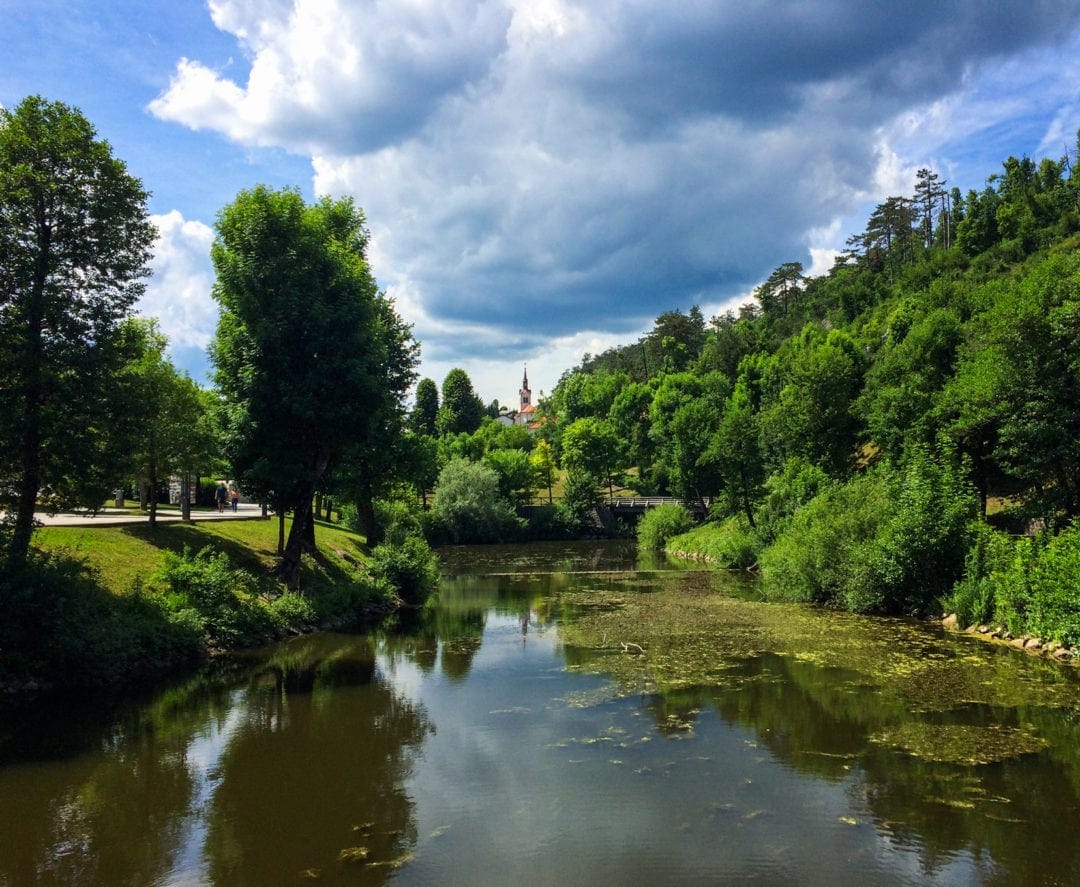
(899, 435)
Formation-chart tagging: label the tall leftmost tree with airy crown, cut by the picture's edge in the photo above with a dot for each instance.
(75, 241)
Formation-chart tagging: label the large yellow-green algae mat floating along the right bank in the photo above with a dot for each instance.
(695, 629)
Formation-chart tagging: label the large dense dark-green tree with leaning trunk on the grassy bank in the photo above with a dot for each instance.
(308, 353)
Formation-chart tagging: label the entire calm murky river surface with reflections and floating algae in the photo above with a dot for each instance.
(562, 720)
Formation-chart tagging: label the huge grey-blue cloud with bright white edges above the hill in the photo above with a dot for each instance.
(536, 168)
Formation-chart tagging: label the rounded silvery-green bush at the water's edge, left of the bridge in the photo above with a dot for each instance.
(469, 506)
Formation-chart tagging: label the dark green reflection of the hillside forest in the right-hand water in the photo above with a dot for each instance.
(1012, 815)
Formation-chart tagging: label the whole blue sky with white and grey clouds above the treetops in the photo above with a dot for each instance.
(543, 179)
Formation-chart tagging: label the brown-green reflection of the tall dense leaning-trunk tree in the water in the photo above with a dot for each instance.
(315, 767)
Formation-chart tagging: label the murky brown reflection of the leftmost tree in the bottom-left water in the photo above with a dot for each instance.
(106, 802)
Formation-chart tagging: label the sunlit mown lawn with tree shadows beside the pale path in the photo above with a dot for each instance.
(121, 555)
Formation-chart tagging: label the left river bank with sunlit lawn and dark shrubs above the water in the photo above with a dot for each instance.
(112, 606)
